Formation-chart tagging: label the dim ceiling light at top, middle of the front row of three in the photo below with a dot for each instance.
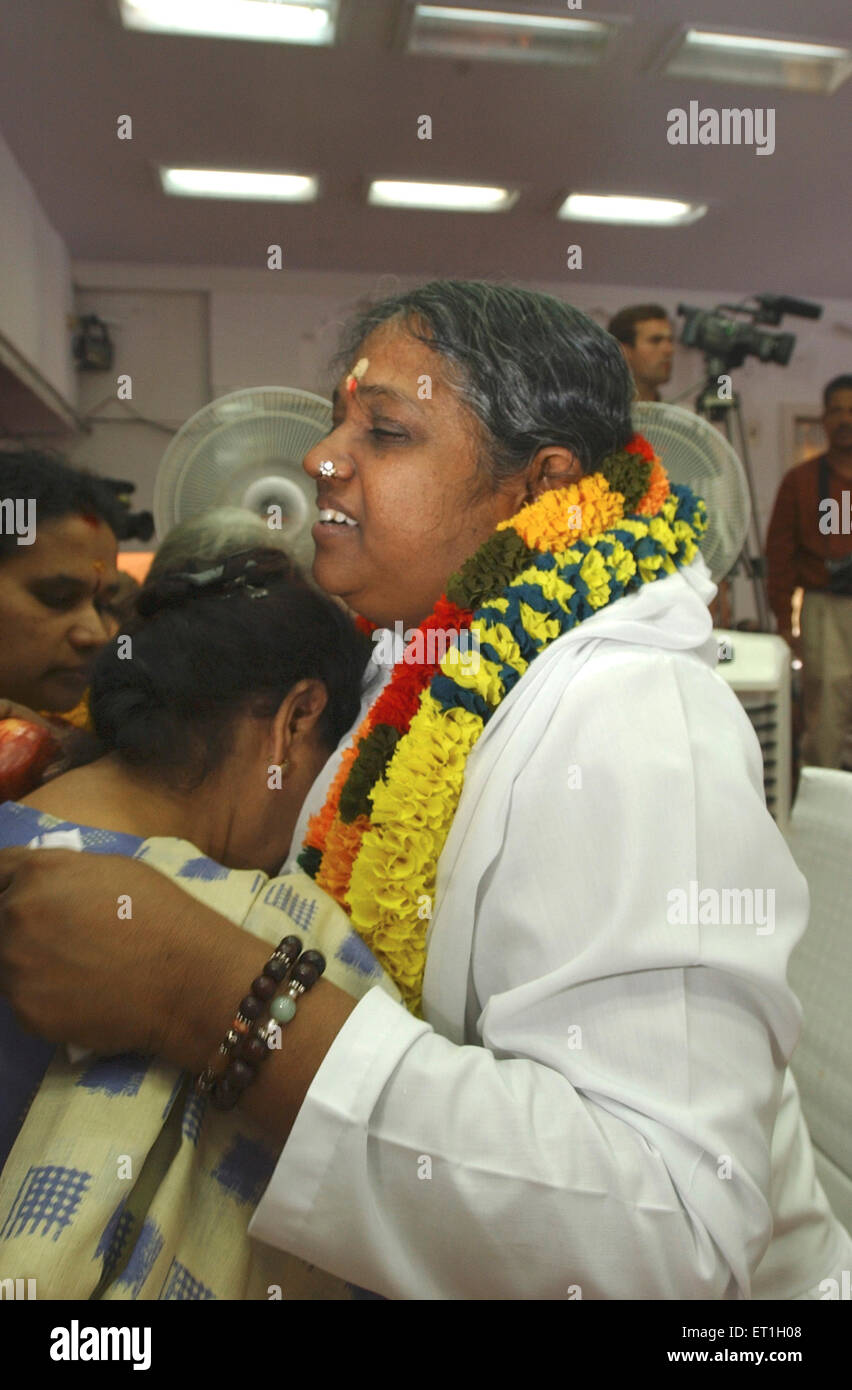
(507, 35)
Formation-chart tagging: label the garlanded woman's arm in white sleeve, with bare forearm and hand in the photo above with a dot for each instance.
(612, 1136)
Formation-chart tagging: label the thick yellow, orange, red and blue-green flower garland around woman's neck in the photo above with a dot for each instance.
(376, 843)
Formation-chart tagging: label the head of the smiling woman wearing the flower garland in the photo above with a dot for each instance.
(476, 398)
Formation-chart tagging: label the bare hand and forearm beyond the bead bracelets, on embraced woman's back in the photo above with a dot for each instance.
(106, 953)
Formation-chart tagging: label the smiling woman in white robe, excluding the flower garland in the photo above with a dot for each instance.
(597, 1102)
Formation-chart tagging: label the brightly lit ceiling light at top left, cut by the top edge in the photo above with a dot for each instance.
(270, 22)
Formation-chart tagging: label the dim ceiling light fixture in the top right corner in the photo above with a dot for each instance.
(761, 60)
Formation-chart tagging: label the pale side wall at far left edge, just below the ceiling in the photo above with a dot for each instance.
(35, 281)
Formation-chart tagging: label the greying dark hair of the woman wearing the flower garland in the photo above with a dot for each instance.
(532, 369)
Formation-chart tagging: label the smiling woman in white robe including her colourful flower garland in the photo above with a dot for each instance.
(548, 1111)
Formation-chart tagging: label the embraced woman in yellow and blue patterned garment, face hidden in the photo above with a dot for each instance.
(212, 717)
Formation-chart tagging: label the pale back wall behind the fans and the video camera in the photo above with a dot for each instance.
(191, 334)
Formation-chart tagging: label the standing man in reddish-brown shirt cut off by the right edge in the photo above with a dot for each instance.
(808, 546)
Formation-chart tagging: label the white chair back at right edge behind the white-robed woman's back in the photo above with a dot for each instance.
(821, 974)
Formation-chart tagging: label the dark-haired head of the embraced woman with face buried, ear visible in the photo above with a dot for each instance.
(234, 683)
